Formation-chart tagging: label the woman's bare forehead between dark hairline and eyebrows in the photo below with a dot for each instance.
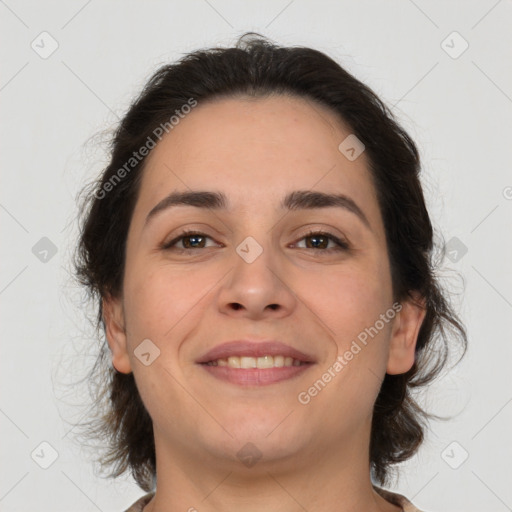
(255, 148)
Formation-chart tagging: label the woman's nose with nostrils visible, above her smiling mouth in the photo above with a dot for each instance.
(257, 290)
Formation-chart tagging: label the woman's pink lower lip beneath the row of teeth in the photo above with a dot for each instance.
(255, 376)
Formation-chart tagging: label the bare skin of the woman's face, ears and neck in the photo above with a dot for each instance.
(313, 456)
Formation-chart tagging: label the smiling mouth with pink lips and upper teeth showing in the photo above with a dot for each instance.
(255, 363)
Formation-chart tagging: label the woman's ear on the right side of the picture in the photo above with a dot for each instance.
(406, 327)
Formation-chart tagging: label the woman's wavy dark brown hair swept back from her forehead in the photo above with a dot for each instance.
(256, 67)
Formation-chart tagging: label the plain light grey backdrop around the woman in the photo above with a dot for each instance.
(69, 71)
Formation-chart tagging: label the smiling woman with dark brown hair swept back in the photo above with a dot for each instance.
(274, 245)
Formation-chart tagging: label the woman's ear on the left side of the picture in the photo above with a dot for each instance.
(113, 317)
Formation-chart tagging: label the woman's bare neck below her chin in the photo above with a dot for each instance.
(326, 480)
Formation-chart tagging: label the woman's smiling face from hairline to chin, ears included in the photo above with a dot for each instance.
(288, 249)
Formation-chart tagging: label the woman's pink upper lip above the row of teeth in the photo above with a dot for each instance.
(253, 349)
